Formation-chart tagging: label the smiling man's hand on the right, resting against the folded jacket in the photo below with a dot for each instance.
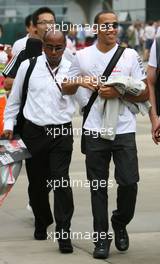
(108, 92)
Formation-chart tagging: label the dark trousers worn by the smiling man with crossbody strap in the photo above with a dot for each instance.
(98, 155)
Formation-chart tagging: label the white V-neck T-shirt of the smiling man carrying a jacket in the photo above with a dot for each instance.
(92, 62)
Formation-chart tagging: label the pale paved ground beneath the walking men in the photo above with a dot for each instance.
(16, 223)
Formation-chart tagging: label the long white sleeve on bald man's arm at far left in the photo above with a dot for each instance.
(14, 99)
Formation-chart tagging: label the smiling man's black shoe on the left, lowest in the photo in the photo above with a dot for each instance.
(101, 250)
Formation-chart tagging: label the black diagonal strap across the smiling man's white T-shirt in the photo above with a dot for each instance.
(106, 73)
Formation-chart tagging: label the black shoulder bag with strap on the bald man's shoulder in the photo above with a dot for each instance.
(20, 117)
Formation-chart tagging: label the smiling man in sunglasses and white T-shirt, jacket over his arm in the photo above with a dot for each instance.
(91, 62)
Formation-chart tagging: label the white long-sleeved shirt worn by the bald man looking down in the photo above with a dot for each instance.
(45, 103)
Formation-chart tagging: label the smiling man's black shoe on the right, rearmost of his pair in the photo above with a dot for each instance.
(121, 239)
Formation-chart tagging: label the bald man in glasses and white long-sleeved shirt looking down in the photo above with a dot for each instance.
(48, 114)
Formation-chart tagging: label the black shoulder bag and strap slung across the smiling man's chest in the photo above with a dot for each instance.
(93, 97)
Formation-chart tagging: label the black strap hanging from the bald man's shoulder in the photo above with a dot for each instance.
(32, 62)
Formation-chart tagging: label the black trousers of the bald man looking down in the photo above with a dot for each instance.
(51, 157)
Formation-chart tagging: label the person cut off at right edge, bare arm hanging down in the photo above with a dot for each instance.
(152, 75)
